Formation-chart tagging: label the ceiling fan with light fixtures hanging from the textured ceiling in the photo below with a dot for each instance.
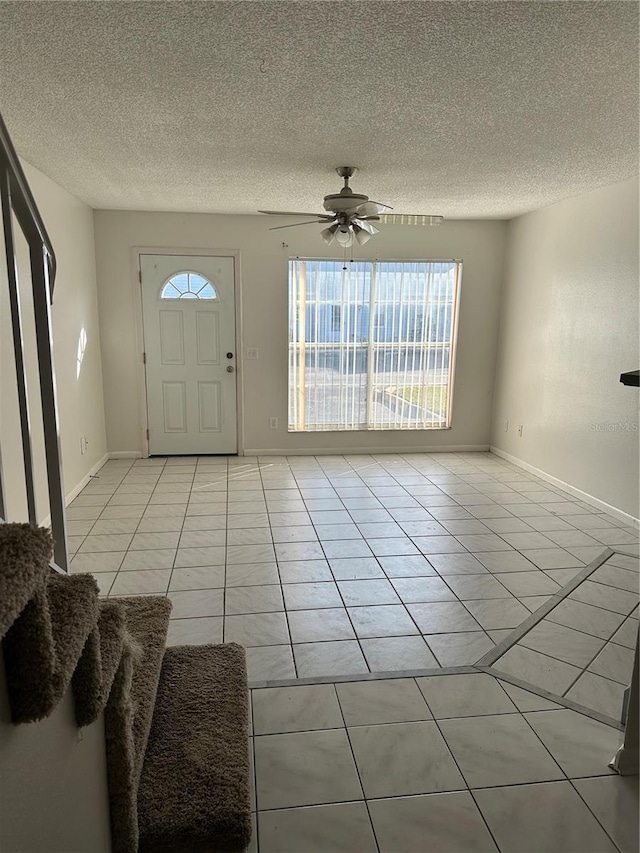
(351, 215)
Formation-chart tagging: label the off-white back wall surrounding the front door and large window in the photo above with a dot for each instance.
(263, 277)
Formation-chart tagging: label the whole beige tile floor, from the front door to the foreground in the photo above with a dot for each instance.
(348, 565)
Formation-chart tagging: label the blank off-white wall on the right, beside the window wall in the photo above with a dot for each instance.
(569, 328)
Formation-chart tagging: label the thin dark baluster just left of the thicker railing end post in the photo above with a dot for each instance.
(16, 324)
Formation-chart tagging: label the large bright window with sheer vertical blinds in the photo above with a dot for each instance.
(371, 344)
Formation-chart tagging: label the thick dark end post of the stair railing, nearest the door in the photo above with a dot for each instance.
(44, 342)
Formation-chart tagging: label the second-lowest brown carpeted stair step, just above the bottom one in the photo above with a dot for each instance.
(129, 711)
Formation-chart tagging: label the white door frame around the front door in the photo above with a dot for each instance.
(141, 380)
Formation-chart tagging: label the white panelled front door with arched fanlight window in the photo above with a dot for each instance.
(188, 308)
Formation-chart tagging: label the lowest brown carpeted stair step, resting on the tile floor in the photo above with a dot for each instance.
(194, 788)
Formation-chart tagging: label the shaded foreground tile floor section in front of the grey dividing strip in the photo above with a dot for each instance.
(447, 763)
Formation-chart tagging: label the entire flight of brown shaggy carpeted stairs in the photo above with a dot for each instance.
(193, 794)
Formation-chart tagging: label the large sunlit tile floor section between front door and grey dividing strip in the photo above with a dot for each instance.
(325, 566)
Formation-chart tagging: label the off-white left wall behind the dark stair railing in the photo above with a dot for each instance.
(75, 307)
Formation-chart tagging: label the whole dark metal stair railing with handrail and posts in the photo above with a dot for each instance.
(16, 201)
